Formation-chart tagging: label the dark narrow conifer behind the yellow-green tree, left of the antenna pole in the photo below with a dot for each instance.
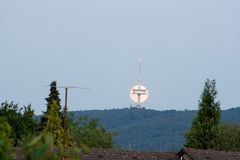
(53, 96)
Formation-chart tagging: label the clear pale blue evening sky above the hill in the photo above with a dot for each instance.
(97, 44)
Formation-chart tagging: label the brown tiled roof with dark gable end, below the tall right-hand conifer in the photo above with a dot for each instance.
(197, 154)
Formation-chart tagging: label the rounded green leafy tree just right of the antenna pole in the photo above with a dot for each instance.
(89, 133)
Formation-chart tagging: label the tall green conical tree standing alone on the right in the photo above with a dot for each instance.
(204, 130)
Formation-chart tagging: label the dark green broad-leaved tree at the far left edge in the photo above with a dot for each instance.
(21, 121)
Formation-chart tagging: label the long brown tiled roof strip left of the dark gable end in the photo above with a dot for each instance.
(117, 154)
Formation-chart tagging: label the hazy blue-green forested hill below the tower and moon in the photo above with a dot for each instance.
(144, 129)
